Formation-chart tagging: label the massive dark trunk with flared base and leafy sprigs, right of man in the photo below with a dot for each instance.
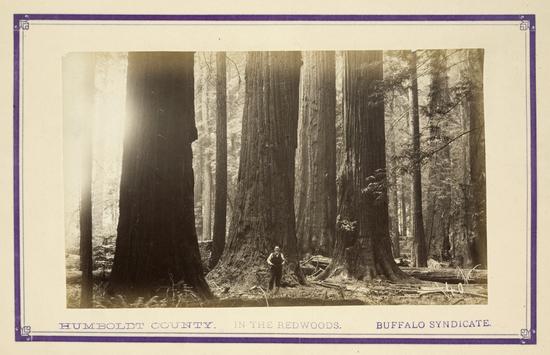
(363, 245)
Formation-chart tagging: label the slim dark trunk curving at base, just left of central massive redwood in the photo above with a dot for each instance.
(220, 203)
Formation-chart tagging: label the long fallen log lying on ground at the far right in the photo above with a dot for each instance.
(448, 275)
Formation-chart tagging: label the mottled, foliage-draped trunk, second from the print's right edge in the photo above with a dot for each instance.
(438, 201)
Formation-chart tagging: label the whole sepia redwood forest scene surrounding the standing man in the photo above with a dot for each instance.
(183, 171)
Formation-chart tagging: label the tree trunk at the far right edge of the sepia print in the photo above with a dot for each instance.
(478, 248)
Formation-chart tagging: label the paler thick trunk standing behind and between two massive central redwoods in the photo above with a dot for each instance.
(315, 198)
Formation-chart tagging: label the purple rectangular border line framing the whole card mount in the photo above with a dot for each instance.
(270, 18)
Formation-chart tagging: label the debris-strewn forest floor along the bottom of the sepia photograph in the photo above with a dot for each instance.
(334, 292)
